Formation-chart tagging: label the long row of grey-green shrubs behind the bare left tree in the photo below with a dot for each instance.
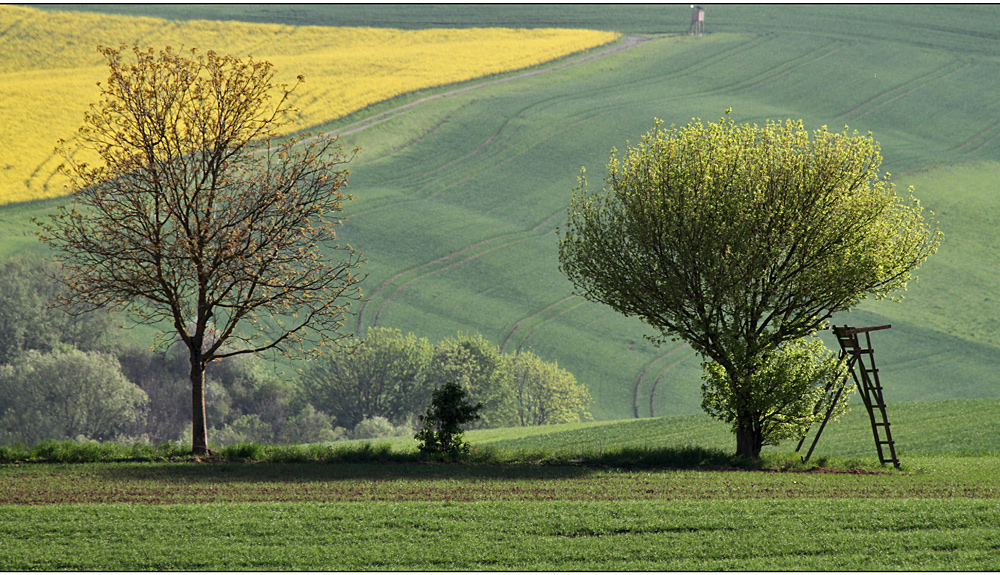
(66, 377)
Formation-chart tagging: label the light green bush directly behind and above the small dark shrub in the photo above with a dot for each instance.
(479, 366)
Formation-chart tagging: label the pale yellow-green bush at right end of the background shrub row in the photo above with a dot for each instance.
(546, 393)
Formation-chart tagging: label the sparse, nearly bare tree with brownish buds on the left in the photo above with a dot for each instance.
(197, 217)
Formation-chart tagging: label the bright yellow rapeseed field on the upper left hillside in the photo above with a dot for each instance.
(49, 67)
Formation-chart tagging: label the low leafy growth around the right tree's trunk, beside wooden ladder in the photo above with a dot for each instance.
(786, 393)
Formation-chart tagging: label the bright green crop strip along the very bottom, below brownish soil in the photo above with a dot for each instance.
(752, 534)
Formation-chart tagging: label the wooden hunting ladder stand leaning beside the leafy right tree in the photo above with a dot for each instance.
(866, 378)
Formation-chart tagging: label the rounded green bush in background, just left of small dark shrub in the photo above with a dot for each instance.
(382, 376)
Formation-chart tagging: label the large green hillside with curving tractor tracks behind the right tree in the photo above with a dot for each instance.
(483, 179)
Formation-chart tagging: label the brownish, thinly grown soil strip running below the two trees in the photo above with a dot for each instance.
(169, 483)
